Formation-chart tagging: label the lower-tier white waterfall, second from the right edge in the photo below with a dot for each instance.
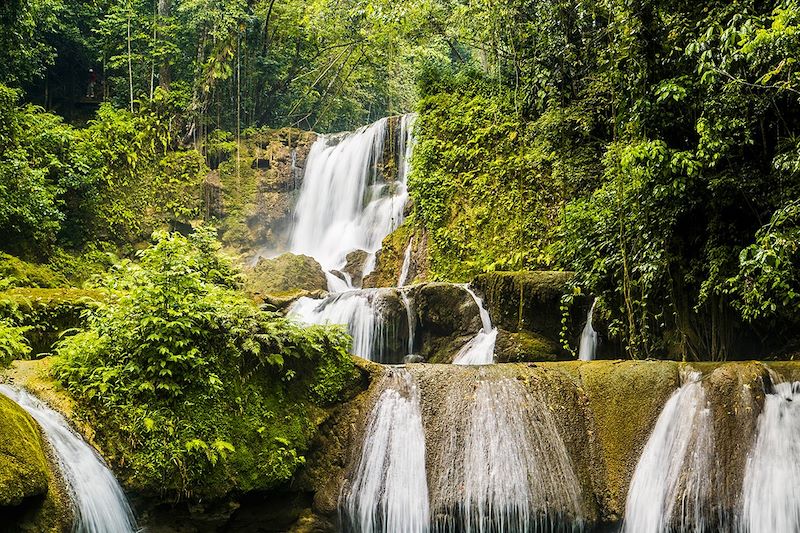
(673, 480)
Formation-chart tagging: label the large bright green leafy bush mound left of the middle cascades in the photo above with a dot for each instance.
(191, 387)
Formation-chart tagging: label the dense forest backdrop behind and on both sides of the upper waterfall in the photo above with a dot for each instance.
(651, 146)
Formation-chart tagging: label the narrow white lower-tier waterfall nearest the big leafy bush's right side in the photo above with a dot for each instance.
(389, 492)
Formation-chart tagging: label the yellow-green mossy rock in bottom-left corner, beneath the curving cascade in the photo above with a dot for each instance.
(31, 498)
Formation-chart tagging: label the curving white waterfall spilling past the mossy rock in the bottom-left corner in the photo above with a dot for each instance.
(99, 502)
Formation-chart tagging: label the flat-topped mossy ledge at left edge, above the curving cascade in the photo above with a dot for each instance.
(49, 312)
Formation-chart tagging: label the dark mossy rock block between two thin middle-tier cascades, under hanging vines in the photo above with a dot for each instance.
(526, 309)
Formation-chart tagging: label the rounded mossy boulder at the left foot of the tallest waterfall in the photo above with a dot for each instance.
(285, 275)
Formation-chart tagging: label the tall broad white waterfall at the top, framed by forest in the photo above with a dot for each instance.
(345, 202)
